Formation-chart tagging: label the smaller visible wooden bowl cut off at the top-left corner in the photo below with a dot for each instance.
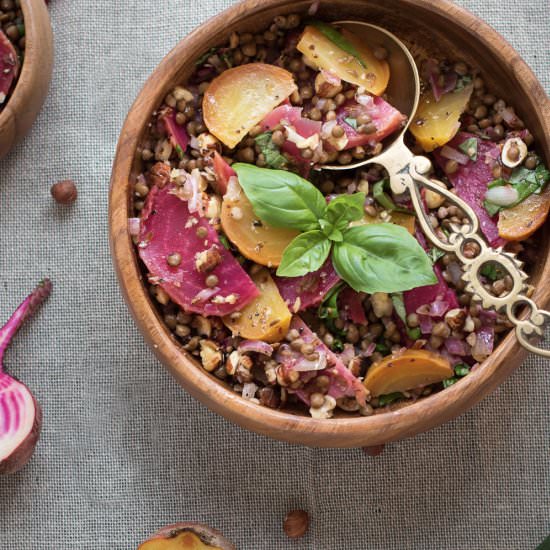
(33, 82)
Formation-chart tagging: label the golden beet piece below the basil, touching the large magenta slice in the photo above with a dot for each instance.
(267, 317)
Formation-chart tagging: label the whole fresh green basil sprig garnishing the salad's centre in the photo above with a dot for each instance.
(378, 257)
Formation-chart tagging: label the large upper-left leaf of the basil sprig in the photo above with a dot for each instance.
(282, 199)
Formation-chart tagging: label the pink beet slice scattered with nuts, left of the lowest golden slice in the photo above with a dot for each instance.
(342, 381)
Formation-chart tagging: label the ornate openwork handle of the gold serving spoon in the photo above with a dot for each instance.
(530, 326)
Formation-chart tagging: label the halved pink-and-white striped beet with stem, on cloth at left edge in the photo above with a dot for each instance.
(20, 413)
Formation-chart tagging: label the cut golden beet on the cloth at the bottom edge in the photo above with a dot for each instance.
(187, 536)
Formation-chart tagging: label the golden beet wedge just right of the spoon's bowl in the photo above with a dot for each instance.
(436, 123)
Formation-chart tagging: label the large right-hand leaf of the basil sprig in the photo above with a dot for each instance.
(382, 257)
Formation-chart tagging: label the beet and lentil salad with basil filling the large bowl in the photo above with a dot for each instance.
(312, 288)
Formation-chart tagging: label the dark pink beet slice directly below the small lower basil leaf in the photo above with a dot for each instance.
(309, 290)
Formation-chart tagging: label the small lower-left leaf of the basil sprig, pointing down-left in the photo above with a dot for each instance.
(306, 253)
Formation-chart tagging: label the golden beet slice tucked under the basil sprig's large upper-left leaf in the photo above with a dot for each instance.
(255, 239)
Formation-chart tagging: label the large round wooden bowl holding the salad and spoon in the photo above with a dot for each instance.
(435, 22)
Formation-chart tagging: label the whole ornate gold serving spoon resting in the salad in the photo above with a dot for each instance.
(410, 173)
